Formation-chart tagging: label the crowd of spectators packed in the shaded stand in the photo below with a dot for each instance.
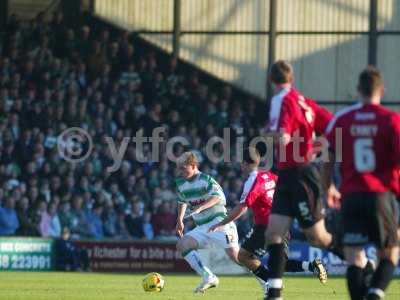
(54, 76)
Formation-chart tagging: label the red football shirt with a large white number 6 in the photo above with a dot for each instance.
(370, 148)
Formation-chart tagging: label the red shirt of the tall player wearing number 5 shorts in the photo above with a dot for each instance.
(299, 117)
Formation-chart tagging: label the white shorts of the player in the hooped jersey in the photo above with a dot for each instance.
(225, 238)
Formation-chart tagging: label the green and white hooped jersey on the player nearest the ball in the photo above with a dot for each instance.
(199, 190)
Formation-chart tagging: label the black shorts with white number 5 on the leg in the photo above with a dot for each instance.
(298, 195)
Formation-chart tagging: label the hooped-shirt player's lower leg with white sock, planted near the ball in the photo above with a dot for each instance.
(188, 245)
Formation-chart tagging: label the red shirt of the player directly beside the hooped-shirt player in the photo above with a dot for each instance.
(257, 194)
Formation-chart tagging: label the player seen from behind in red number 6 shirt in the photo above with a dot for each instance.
(370, 136)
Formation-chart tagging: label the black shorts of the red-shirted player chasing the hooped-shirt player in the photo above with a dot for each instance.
(255, 241)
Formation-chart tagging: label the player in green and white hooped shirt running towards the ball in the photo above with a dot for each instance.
(205, 198)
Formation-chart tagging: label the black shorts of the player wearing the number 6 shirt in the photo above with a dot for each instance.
(370, 218)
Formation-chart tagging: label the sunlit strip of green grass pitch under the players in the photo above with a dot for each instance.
(95, 286)
